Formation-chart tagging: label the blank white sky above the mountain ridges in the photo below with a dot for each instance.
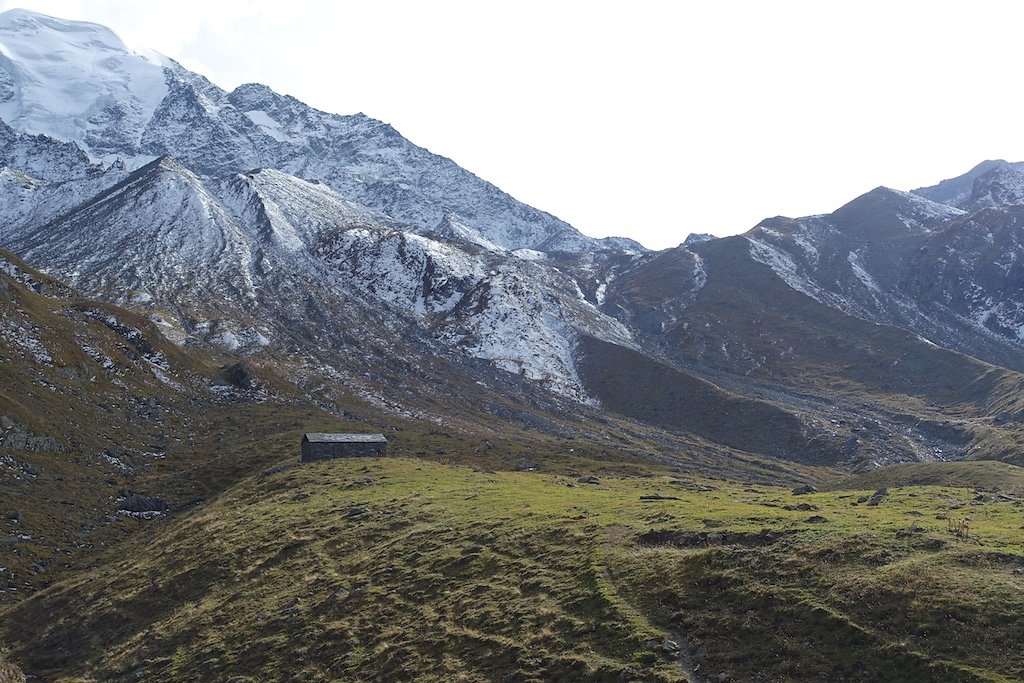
(649, 119)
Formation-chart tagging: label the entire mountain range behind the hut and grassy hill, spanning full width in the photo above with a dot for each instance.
(337, 251)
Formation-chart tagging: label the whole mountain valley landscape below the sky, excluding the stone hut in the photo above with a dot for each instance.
(793, 454)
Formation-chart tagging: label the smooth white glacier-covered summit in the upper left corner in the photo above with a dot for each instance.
(76, 81)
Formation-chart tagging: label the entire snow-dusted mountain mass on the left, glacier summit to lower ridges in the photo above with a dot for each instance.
(134, 180)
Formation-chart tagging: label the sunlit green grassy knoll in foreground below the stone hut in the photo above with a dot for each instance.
(453, 574)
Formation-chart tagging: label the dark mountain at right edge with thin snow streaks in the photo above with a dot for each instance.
(900, 259)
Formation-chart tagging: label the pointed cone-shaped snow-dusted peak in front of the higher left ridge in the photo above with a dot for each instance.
(158, 231)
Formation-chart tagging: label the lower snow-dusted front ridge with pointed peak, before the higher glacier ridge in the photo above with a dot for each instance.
(249, 249)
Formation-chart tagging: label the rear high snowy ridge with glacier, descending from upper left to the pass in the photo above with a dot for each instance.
(79, 83)
